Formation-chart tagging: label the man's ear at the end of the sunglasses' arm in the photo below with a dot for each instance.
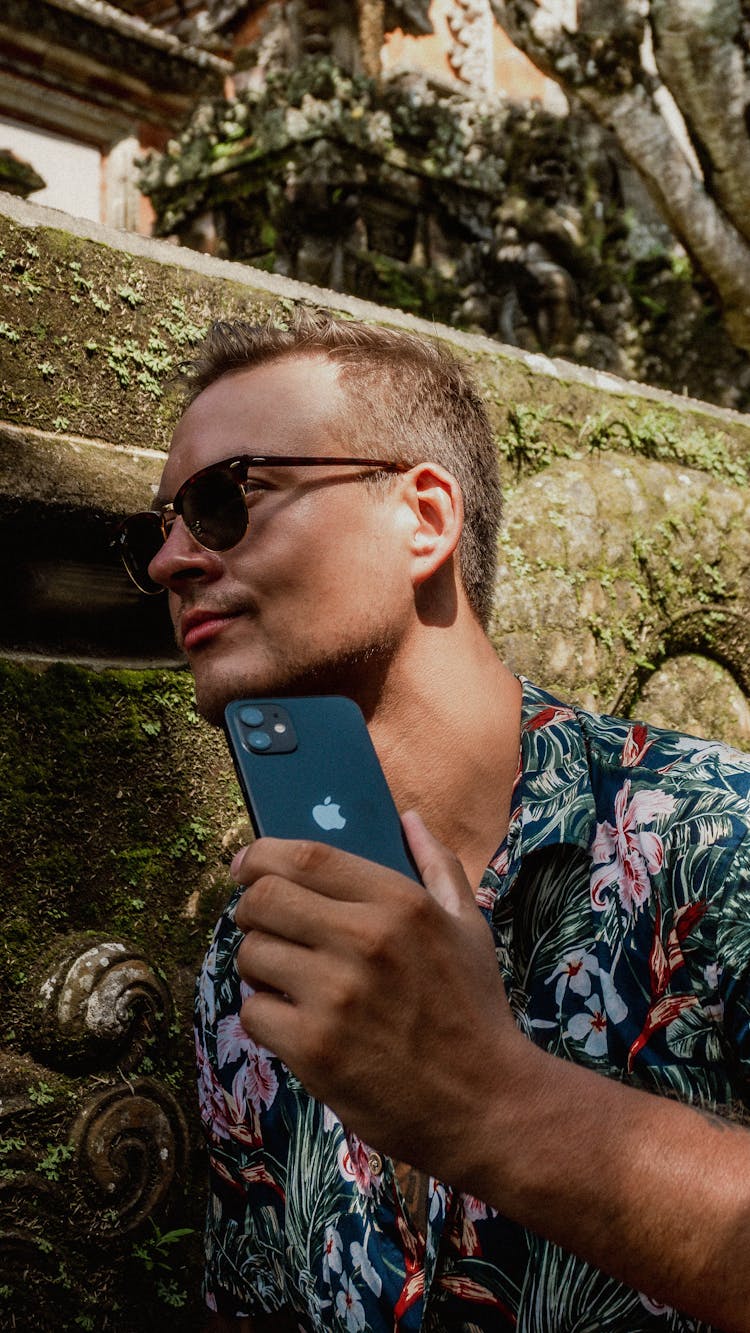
(436, 519)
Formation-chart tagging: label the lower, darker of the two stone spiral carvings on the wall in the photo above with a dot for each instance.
(130, 1142)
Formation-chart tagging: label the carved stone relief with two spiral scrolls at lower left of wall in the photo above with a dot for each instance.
(89, 1154)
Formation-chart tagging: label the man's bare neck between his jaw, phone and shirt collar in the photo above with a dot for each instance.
(447, 732)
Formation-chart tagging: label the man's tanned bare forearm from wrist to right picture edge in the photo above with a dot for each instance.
(653, 1192)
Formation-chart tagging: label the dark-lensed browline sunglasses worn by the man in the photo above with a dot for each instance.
(214, 507)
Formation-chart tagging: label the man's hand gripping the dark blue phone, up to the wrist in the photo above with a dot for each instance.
(382, 996)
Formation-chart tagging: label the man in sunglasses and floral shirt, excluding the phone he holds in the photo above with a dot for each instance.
(585, 912)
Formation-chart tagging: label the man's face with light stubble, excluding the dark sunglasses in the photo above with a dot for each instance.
(316, 597)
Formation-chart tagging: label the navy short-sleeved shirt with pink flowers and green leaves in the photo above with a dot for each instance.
(620, 906)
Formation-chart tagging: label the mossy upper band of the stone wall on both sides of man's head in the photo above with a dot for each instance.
(119, 378)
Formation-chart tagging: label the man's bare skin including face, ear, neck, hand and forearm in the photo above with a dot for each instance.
(342, 587)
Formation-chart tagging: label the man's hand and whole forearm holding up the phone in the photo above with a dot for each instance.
(386, 1000)
